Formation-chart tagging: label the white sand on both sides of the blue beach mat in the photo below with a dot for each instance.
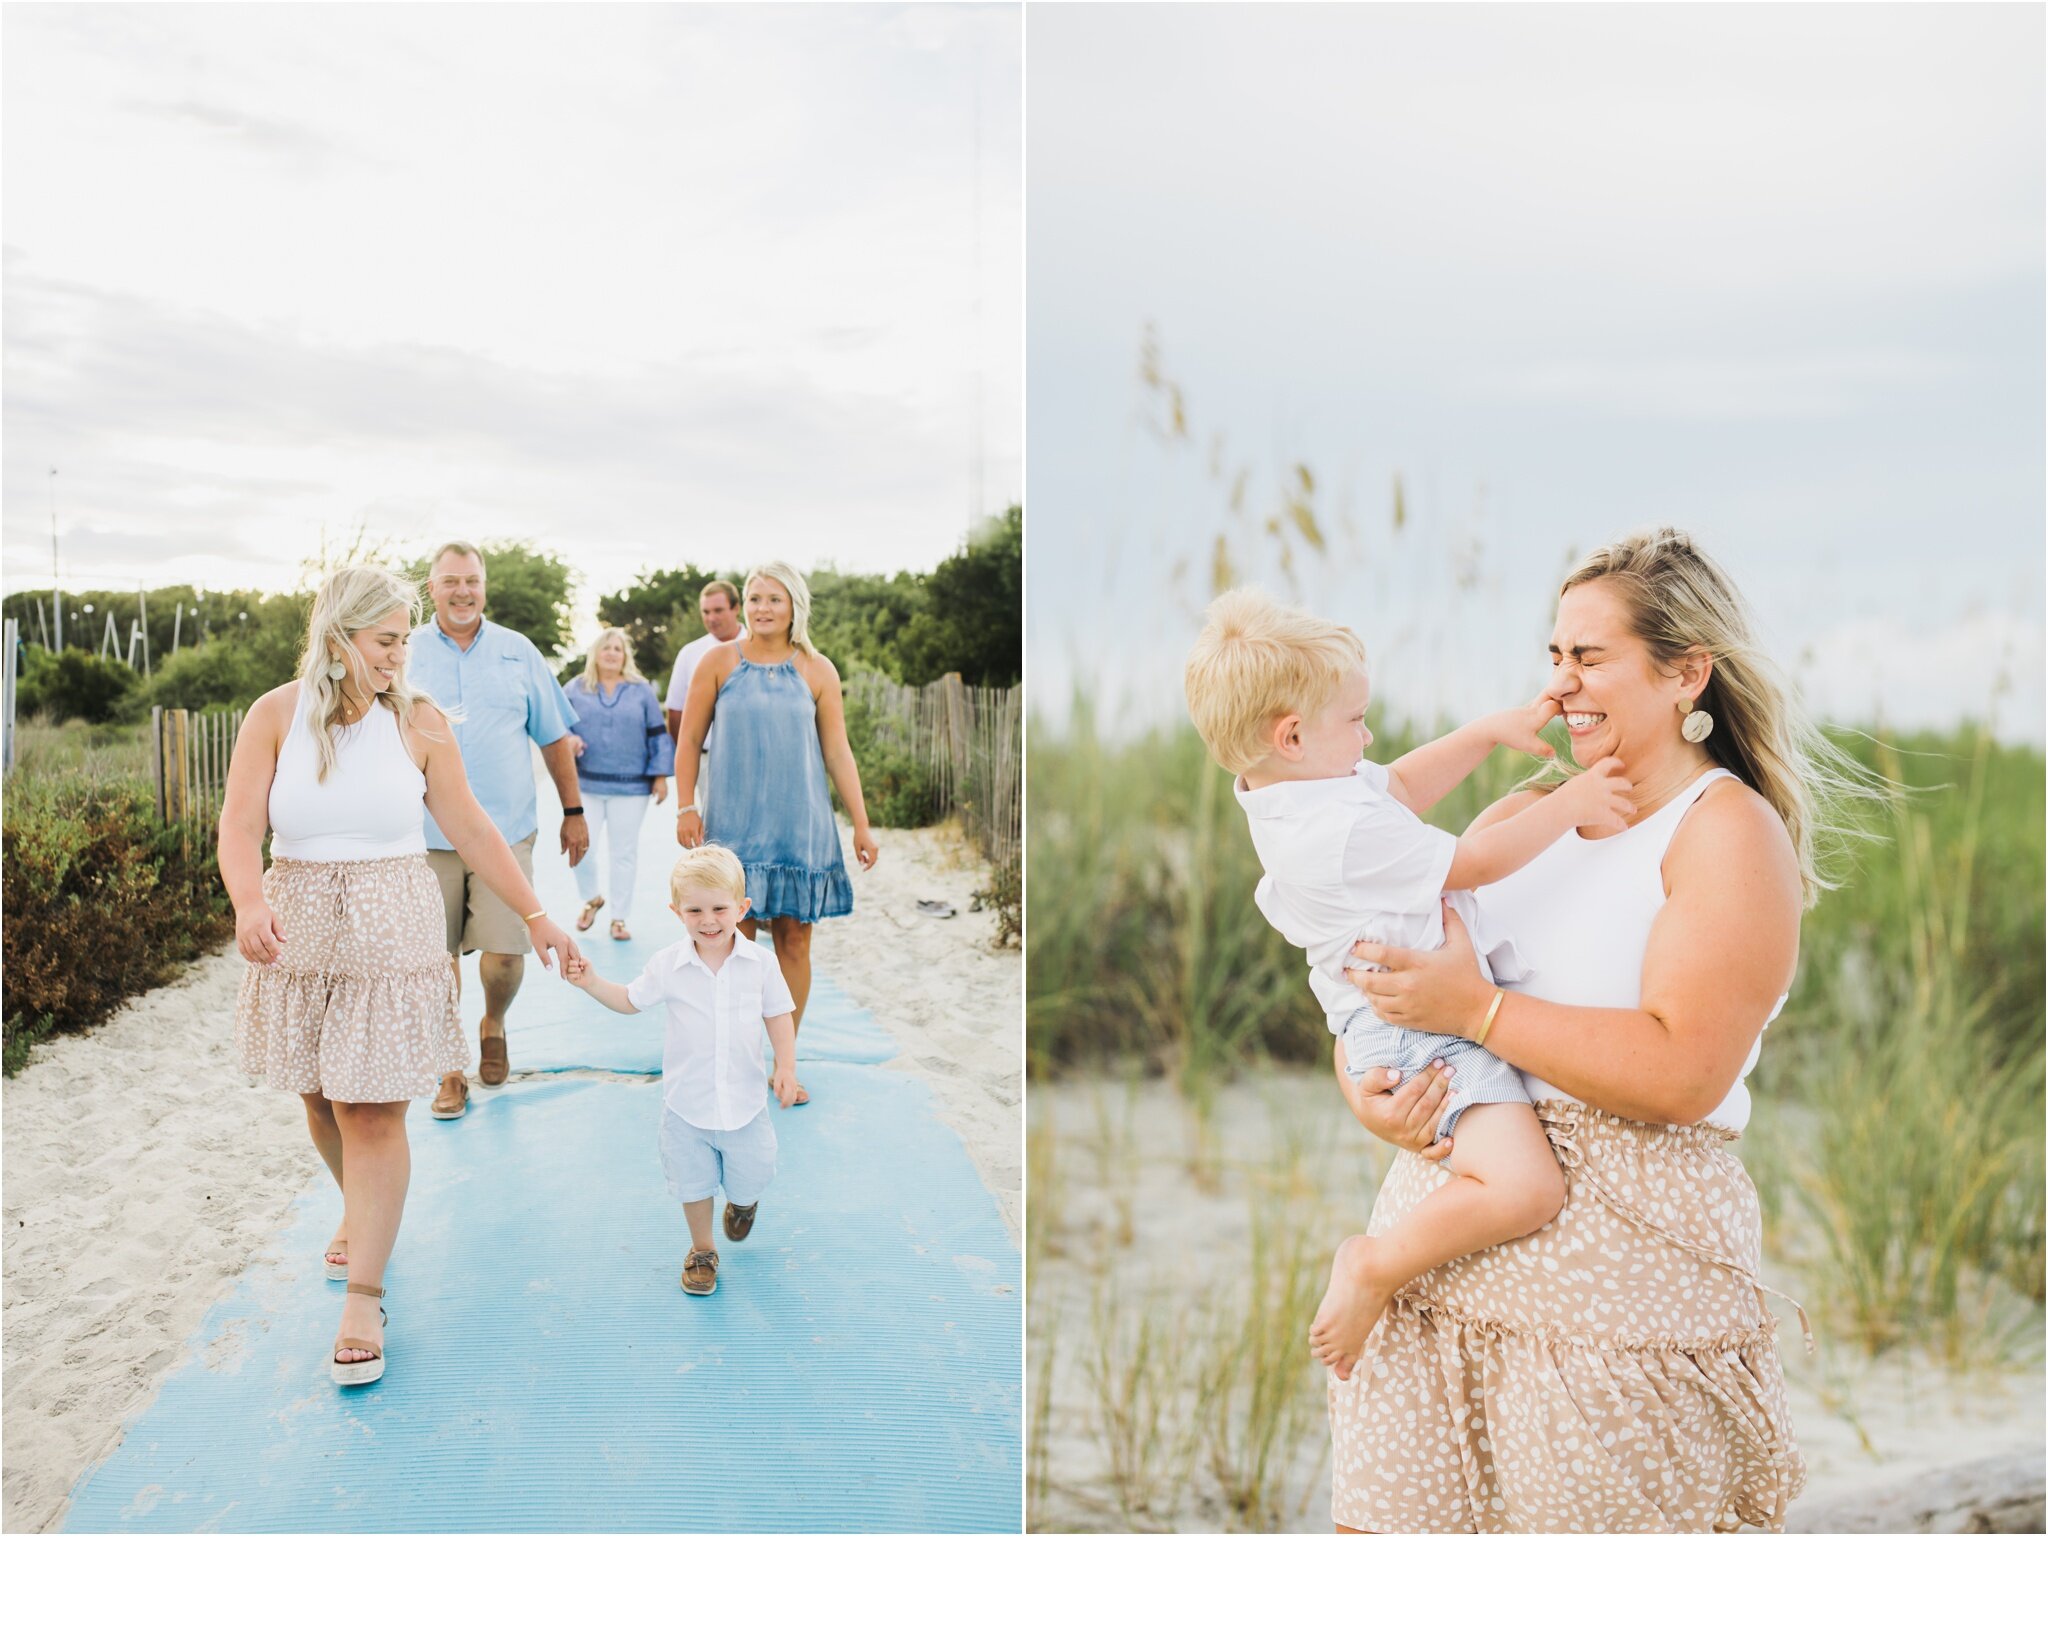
(142, 1170)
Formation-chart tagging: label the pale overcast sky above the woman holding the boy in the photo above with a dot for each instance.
(1770, 273)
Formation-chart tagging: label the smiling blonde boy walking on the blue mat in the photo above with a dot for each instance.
(716, 990)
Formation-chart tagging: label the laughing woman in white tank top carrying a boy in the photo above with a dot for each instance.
(1615, 1371)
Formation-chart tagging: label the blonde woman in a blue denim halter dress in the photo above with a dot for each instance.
(781, 738)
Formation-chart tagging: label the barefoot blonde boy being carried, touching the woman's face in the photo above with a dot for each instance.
(1281, 701)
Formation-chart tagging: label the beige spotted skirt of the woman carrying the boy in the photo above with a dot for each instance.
(1615, 1373)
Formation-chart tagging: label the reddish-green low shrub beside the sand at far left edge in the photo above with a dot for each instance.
(101, 904)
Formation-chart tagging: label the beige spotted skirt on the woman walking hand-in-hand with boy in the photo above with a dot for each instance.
(361, 1004)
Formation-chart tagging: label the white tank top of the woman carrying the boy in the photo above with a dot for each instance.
(1582, 916)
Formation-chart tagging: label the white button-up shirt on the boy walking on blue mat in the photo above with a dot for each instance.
(712, 1033)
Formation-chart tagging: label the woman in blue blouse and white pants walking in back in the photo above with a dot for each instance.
(622, 761)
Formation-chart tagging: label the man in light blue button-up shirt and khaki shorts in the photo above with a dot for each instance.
(507, 699)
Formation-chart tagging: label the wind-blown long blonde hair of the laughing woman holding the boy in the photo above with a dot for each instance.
(1680, 601)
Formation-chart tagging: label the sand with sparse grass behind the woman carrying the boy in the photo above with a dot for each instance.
(1127, 1215)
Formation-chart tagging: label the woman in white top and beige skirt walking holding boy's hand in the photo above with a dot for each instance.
(349, 998)
